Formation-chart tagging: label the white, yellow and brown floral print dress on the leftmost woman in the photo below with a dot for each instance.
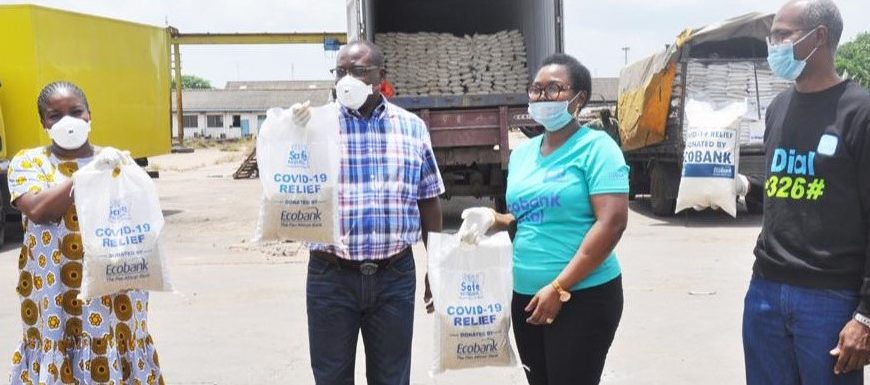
(66, 340)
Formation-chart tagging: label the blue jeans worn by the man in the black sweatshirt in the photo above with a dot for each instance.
(788, 332)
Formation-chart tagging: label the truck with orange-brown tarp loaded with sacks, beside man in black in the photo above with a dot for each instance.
(721, 63)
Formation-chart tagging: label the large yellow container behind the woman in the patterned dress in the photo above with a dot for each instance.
(123, 68)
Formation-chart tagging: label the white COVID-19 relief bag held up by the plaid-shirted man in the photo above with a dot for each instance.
(299, 170)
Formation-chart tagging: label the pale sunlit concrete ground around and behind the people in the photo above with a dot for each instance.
(238, 316)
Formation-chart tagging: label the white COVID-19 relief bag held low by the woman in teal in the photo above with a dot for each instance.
(472, 287)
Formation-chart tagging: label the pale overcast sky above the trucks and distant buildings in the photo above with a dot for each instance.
(595, 30)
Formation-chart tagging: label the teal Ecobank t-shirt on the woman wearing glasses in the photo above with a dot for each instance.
(550, 198)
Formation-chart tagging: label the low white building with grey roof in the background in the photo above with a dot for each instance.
(239, 110)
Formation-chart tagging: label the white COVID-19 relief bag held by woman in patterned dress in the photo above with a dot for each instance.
(120, 222)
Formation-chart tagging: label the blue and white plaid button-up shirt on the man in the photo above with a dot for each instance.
(387, 165)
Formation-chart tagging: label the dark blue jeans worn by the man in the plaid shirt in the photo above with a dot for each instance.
(341, 302)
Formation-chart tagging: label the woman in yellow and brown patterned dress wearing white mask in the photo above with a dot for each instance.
(66, 340)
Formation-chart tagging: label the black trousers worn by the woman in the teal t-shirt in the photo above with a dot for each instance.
(571, 350)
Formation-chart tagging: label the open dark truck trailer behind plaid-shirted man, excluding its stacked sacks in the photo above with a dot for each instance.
(469, 131)
